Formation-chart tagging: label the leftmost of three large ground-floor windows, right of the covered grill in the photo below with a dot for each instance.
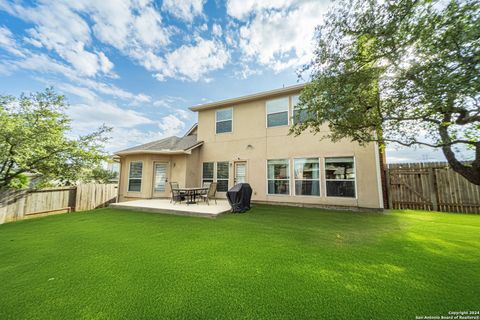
(278, 176)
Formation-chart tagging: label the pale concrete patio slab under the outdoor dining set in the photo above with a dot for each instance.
(200, 209)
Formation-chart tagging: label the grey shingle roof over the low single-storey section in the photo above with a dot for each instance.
(168, 145)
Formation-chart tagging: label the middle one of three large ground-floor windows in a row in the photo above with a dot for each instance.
(307, 177)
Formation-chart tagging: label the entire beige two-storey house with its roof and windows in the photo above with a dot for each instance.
(246, 139)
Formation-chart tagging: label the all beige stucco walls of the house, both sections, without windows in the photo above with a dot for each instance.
(252, 142)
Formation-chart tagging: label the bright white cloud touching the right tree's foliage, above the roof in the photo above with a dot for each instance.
(281, 39)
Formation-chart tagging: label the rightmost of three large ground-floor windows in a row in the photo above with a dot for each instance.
(340, 177)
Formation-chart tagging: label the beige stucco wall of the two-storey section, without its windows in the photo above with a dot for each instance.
(253, 142)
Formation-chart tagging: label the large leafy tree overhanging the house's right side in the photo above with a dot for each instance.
(404, 72)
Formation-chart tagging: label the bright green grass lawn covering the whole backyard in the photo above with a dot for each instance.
(273, 262)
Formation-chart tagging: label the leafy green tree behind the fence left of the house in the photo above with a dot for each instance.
(34, 138)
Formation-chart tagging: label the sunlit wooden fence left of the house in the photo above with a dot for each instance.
(25, 203)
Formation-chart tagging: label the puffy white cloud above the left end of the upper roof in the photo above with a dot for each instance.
(191, 62)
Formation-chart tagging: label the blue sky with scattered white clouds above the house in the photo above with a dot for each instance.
(137, 65)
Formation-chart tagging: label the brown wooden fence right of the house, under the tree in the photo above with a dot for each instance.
(430, 186)
